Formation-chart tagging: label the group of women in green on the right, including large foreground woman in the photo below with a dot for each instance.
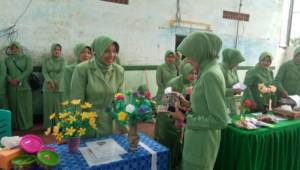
(213, 96)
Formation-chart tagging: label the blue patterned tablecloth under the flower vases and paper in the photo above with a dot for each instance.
(138, 160)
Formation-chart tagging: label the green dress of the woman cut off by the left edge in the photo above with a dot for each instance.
(3, 72)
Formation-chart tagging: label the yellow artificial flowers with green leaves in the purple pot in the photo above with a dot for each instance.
(73, 121)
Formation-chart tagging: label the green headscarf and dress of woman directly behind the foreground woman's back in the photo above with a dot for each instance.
(231, 57)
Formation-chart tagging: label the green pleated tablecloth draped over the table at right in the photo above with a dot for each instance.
(276, 148)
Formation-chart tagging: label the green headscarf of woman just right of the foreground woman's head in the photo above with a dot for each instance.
(232, 56)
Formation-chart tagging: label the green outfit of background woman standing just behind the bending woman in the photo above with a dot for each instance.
(165, 73)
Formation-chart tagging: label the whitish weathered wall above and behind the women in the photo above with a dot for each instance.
(141, 28)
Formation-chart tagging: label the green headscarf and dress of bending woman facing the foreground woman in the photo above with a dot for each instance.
(167, 133)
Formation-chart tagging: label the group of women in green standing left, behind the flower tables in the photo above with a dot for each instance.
(95, 80)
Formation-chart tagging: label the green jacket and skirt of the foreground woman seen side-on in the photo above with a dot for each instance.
(202, 136)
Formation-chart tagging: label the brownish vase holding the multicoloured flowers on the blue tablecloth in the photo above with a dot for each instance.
(133, 137)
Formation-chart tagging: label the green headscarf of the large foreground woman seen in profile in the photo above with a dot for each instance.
(201, 46)
